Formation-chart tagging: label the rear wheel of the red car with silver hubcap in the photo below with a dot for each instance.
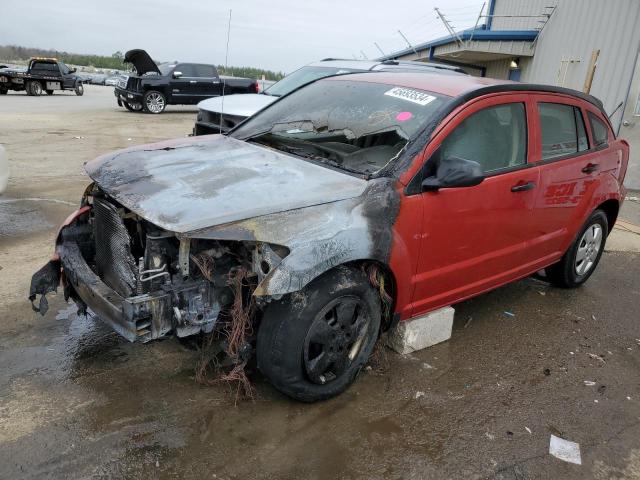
(581, 259)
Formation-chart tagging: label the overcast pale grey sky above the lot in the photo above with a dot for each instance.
(279, 35)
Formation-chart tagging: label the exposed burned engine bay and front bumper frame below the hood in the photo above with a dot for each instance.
(164, 283)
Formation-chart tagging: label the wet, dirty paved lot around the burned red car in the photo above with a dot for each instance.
(76, 401)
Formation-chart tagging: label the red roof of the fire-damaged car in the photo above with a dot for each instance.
(461, 86)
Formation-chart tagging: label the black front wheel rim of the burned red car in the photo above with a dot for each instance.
(335, 338)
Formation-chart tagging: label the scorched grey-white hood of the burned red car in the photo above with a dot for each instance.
(192, 184)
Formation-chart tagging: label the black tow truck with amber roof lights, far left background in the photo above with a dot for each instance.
(42, 75)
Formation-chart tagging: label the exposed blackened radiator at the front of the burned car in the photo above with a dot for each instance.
(114, 262)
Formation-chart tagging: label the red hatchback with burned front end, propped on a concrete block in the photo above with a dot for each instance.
(351, 203)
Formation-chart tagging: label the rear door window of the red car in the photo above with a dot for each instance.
(562, 129)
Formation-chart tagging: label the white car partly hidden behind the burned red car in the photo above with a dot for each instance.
(221, 114)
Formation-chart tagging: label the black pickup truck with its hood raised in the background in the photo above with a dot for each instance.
(156, 86)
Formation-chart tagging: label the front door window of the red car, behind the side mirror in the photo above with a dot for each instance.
(495, 137)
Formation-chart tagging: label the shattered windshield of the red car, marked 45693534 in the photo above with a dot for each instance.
(355, 126)
